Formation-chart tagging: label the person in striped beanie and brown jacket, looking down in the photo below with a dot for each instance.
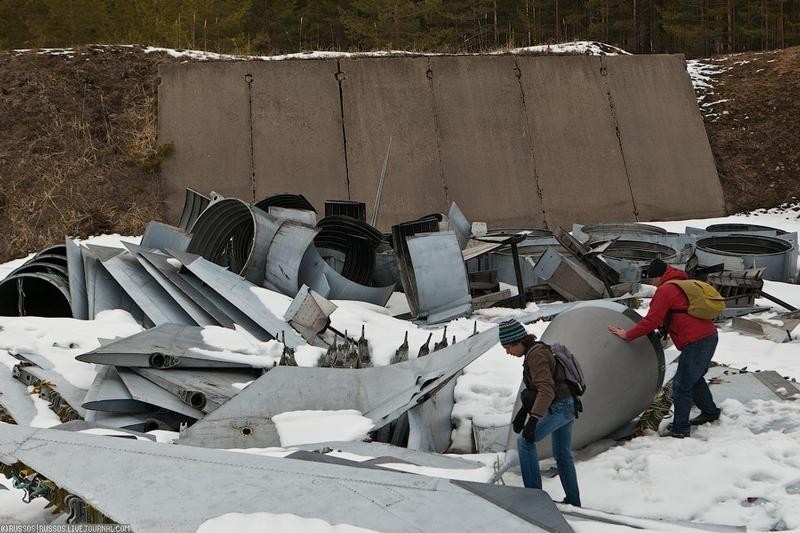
(547, 406)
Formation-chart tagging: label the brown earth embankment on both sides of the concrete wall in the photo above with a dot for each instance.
(78, 152)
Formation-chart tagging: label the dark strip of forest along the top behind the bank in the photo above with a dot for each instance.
(696, 28)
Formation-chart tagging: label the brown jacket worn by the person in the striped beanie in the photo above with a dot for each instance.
(544, 379)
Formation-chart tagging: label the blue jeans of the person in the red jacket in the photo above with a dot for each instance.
(689, 386)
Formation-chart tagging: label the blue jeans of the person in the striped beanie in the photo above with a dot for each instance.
(558, 422)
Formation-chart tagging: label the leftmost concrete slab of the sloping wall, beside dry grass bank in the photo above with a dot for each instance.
(203, 111)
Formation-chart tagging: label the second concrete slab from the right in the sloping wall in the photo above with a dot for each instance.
(578, 158)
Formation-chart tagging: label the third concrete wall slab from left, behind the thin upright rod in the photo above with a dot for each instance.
(385, 98)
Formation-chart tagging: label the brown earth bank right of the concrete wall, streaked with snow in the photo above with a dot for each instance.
(755, 129)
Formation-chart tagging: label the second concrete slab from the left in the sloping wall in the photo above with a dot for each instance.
(297, 130)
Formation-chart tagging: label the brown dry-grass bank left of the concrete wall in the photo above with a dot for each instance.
(77, 145)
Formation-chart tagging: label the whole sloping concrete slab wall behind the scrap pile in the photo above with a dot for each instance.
(515, 140)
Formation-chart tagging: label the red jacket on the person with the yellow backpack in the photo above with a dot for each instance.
(683, 328)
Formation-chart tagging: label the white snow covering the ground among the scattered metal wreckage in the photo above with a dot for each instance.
(744, 470)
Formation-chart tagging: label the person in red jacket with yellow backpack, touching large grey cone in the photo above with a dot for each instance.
(696, 338)
